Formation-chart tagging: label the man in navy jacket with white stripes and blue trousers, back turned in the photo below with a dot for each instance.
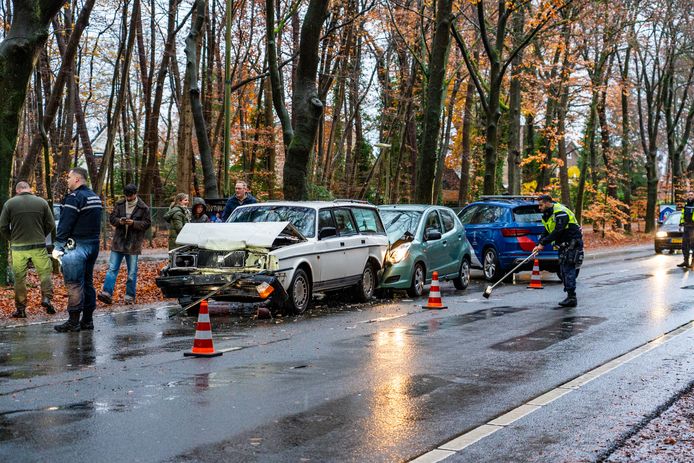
(77, 246)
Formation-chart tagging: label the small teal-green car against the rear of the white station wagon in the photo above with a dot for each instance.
(424, 239)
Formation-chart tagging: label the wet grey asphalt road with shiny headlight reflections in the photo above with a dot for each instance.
(375, 382)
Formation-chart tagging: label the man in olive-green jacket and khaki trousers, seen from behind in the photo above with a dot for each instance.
(25, 222)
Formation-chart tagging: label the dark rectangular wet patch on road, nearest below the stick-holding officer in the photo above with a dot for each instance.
(549, 335)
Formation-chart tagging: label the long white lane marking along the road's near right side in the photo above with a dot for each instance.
(476, 434)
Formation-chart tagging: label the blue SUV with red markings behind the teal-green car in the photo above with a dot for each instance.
(503, 230)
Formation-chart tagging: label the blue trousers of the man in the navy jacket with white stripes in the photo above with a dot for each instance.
(78, 273)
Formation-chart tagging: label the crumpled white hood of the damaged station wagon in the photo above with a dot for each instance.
(230, 236)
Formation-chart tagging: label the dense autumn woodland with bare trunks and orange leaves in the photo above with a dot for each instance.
(390, 101)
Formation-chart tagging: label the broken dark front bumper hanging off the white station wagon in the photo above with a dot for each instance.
(243, 289)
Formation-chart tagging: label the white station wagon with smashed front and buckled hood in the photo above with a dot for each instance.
(279, 254)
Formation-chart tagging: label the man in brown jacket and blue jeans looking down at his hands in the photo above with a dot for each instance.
(130, 218)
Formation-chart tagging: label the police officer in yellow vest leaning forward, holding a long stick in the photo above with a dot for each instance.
(562, 229)
